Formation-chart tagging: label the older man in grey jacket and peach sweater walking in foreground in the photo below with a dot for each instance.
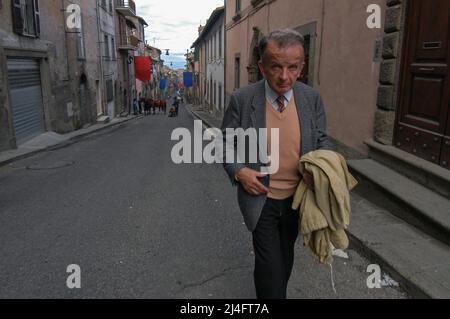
(280, 102)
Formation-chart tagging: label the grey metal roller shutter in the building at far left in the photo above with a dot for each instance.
(26, 98)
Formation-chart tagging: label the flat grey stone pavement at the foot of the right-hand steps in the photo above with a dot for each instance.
(420, 263)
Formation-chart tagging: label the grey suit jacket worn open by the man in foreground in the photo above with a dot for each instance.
(246, 109)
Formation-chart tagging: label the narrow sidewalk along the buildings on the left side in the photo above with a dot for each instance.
(50, 140)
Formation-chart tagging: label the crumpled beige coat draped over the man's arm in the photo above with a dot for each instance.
(325, 212)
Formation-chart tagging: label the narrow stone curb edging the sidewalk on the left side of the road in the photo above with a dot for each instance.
(70, 141)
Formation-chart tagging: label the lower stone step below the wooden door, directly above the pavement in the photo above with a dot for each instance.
(412, 202)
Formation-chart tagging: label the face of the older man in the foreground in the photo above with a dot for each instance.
(282, 66)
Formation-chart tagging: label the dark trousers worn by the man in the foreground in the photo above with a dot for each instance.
(273, 241)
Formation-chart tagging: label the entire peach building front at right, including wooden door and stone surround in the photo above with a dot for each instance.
(386, 89)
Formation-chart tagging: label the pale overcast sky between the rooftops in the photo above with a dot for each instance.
(173, 24)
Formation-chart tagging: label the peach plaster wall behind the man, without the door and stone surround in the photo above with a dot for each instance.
(341, 56)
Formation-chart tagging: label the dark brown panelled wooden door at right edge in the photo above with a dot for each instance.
(423, 118)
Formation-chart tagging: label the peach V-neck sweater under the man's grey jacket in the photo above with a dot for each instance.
(284, 183)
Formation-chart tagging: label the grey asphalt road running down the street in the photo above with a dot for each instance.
(139, 226)
